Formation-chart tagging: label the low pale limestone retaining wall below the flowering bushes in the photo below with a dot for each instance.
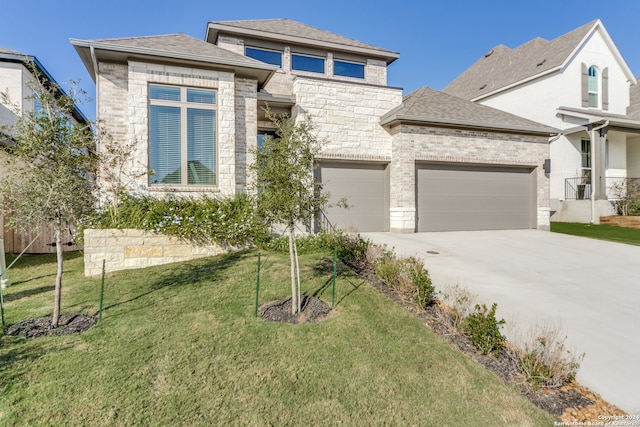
(128, 249)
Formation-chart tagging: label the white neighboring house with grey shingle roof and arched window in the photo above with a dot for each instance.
(580, 84)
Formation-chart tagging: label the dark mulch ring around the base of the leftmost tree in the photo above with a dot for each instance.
(67, 324)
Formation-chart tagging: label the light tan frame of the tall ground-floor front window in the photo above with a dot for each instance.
(184, 106)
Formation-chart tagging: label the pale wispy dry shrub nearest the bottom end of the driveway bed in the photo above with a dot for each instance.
(543, 358)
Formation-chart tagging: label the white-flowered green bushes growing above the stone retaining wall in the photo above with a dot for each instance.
(226, 220)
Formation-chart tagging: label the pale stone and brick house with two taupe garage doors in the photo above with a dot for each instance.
(194, 110)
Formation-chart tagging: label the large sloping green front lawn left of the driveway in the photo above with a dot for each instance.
(179, 345)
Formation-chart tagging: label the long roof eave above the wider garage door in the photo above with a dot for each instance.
(390, 120)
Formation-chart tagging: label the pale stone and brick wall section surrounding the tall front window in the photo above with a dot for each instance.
(123, 108)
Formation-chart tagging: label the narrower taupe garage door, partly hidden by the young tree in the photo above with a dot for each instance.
(365, 188)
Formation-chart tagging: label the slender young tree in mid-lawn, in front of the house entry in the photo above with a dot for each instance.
(286, 188)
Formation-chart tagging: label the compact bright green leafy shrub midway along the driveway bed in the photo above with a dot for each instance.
(484, 329)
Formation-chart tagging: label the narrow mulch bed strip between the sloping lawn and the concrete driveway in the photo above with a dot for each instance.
(571, 403)
